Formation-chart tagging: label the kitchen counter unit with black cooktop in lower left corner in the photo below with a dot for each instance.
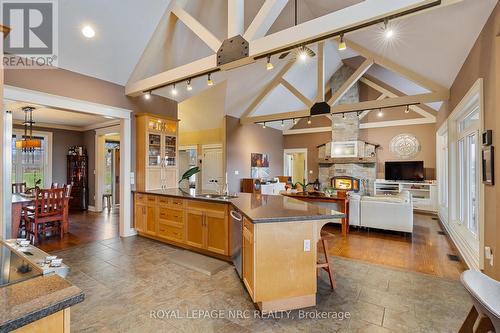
(31, 299)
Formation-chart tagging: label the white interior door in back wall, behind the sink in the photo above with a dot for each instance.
(212, 168)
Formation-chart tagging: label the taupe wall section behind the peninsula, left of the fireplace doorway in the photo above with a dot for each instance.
(242, 141)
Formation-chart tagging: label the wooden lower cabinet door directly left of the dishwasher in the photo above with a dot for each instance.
(217, 232)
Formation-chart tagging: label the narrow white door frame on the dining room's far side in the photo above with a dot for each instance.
(100, 163)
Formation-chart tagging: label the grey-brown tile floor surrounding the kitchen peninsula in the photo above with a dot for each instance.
(125, 280)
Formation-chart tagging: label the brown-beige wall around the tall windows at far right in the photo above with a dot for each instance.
(484, 62)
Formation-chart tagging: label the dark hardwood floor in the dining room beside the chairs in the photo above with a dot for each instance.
(84, 227)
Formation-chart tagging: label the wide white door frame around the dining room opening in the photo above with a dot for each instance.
(65, 103)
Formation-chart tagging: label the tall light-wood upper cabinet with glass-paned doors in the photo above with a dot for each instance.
(157, 150)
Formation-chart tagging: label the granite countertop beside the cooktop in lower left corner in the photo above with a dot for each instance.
(30, 300)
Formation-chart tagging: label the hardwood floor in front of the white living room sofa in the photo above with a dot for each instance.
(425, 252)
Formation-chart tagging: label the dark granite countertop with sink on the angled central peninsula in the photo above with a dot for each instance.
(260, 208)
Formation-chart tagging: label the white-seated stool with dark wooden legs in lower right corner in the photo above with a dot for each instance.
(485, 293)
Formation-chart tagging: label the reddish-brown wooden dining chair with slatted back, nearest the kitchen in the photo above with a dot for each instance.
(47, 214)
